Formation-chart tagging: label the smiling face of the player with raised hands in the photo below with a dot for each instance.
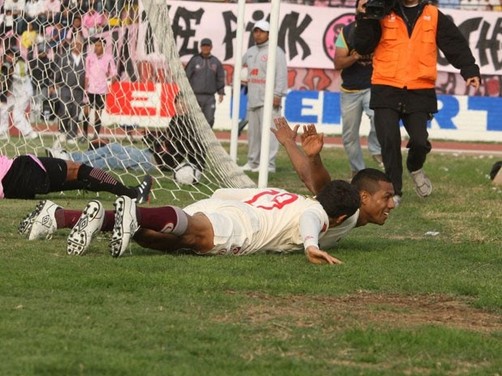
(377, 206)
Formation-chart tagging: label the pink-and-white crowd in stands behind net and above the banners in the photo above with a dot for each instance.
(41, 33)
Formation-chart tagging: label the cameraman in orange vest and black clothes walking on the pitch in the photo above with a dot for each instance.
(404, 36)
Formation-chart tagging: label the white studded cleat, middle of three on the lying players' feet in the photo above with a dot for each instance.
(88, 225)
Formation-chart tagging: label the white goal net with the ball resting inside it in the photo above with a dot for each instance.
(150, 122)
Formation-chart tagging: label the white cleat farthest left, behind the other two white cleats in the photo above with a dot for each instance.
(41, 223)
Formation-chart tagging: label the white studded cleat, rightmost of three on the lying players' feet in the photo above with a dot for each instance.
(126, 225)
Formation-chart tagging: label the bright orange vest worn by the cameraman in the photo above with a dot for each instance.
(403, 61)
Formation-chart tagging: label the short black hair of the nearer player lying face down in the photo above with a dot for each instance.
(339, 197)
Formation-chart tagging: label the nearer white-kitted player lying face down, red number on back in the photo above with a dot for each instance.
(233, 221)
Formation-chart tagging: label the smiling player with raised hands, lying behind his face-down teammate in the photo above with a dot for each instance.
(374, 186)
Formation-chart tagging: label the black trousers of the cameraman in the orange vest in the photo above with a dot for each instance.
(387, 125)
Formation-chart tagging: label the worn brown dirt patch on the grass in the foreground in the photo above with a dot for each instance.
(365, 309)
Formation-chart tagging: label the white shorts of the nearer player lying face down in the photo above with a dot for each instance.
(234, 225)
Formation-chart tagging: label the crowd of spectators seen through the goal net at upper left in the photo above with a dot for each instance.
(41, 33)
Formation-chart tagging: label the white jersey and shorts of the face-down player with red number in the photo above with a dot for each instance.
(257, 220)
